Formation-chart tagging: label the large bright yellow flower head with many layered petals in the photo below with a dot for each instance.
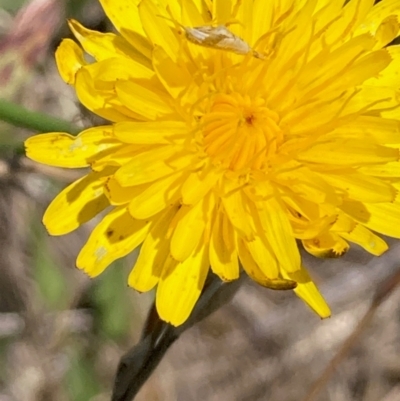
(238, 127)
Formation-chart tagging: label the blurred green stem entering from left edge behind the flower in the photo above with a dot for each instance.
(21, 117)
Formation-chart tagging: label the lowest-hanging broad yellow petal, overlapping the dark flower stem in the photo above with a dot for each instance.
(180, 287)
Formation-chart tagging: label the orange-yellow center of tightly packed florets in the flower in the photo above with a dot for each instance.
(241, 133)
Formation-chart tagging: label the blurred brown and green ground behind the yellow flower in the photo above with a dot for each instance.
(62, 334)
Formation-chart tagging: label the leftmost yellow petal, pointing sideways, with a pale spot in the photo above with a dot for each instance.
(68, 151)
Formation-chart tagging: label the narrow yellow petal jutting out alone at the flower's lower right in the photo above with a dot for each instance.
(308, 292)
